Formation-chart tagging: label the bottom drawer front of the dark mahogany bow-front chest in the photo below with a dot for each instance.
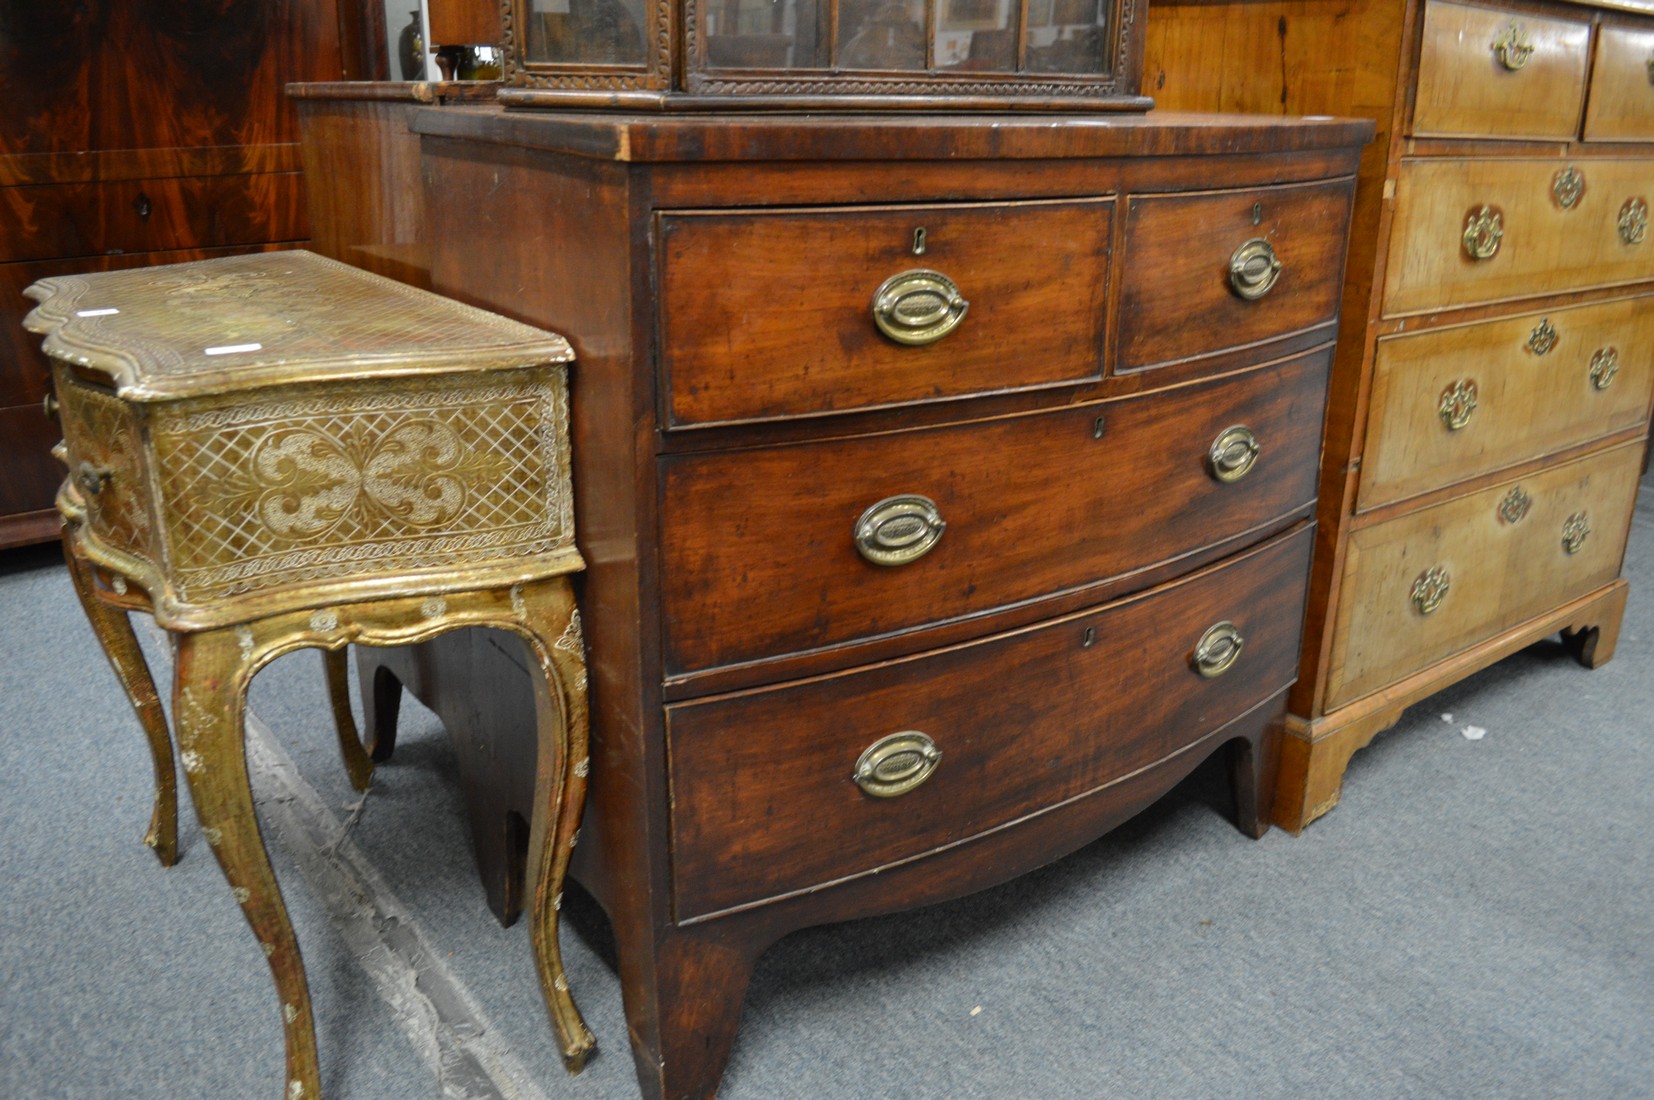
(762, 782)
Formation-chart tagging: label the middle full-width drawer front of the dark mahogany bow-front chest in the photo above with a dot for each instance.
(758, 547)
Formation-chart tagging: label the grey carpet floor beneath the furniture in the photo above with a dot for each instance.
(1475, 921)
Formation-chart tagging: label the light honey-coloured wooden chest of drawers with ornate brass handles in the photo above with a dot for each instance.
(1489, 421)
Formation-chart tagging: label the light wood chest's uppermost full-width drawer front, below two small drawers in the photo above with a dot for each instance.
(1544, 247)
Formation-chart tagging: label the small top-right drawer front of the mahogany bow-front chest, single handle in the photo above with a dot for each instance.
(1180, 302)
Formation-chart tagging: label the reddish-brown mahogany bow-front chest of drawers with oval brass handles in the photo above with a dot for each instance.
(945, 487)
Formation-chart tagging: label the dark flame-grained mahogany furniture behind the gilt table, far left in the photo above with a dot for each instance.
(140, 133)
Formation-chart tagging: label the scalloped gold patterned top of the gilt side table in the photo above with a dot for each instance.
(274, 318)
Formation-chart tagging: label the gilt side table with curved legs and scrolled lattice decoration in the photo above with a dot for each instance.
(277, 451)
